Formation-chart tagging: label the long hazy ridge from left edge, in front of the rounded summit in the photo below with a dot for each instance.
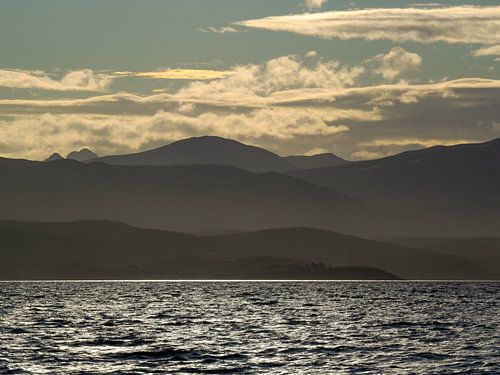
(183, 198)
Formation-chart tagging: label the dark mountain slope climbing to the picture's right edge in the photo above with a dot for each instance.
(457, 185)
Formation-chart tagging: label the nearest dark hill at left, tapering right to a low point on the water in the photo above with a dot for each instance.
(108, 250)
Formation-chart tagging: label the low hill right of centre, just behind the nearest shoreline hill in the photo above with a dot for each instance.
(341, 250)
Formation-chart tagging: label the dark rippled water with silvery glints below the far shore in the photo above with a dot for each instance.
(249, 327)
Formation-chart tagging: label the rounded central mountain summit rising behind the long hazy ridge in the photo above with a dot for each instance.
(206, 150)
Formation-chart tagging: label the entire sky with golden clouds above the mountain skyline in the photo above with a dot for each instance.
(362, 79)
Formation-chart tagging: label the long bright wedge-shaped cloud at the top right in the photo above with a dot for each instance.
(458, 24)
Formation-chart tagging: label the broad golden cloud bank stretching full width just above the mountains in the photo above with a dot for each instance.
(289, 105)
